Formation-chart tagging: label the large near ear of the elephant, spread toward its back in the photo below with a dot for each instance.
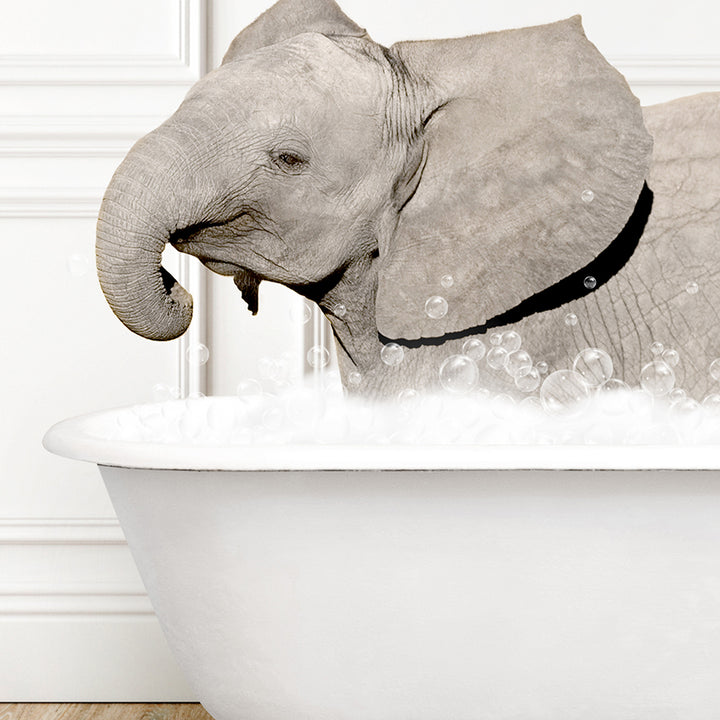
(535, 155)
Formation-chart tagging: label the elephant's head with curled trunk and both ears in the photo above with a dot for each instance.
(361, 175)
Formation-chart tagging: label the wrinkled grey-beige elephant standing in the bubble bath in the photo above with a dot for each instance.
(360, 175)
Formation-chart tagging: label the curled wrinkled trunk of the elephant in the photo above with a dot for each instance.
(138, 214)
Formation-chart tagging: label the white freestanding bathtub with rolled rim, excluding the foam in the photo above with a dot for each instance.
(445, 583)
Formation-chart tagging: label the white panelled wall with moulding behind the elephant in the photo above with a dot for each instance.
(79, 82)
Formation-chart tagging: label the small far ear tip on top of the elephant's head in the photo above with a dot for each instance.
(287, 18)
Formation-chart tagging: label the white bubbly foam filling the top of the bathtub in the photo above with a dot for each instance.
(304, 415)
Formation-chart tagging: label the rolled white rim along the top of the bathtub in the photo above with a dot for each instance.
(69, 438)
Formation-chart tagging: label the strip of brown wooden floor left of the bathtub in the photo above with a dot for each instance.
(103, 711)
